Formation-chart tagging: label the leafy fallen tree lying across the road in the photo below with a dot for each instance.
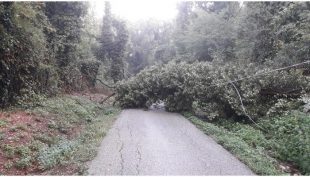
(186, 87)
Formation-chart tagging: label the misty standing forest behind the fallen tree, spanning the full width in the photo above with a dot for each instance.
(53, 47)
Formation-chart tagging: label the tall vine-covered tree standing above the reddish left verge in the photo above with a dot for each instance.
(64, 42)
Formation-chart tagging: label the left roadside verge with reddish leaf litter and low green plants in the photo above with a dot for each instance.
(57, 137)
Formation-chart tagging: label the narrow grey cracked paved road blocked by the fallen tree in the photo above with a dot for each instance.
(161, 143)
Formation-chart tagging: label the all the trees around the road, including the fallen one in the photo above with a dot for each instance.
(191, 62)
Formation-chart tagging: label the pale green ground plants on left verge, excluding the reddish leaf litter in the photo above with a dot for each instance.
(50, 149)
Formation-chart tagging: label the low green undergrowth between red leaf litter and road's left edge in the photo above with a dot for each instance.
(95, 120)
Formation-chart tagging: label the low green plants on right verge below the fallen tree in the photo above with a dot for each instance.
(274, 151)
